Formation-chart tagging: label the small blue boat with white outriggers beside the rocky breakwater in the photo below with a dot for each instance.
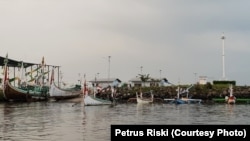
(183, 100)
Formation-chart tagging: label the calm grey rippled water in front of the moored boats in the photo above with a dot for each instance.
(68, 121)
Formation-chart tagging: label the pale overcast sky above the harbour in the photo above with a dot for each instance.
(176, 39)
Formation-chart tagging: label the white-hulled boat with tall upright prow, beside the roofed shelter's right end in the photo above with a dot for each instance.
(59, 93)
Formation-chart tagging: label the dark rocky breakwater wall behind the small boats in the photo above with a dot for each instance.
(204, 92)
